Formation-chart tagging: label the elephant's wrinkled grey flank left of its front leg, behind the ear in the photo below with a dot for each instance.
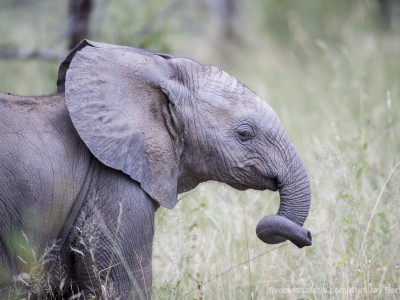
(43, 162)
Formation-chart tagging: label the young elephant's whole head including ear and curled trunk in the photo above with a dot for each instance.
(172, 123)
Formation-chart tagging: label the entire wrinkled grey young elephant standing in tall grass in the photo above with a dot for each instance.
(130, 129)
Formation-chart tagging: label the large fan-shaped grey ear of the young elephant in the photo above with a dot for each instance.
(118, 103)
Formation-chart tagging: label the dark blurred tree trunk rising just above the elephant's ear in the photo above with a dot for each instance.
(78, 22)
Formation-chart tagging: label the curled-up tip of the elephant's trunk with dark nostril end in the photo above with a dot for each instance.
(277, 229)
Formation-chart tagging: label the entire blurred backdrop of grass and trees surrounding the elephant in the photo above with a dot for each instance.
(331, 71)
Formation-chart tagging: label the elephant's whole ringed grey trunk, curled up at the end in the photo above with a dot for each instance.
(295, 194)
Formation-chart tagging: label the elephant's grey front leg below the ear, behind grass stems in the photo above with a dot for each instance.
(111, 243)
